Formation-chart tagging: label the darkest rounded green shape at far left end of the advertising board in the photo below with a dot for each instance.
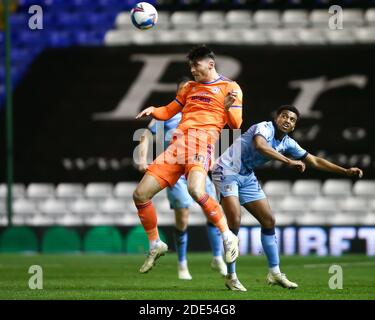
(18, 239)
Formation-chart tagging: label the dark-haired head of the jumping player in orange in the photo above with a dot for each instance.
(202, 62)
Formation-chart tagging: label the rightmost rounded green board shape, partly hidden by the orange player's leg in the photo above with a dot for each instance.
(136, 241)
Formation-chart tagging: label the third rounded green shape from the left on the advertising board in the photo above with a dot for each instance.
(102, 240)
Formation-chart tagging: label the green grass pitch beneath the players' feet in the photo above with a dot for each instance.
(117, 277)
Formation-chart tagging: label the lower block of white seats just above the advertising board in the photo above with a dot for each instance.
(303, 202)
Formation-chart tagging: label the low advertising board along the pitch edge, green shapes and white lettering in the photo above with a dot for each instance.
(292, 240)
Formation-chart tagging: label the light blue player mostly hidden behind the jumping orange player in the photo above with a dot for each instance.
(180, 200)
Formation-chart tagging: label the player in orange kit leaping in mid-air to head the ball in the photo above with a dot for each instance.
(207, 105)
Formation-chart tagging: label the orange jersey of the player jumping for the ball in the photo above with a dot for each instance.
(203, 104)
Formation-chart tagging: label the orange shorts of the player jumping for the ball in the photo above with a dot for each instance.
(186, 152)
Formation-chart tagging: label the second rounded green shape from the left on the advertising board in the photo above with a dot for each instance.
(61, 240)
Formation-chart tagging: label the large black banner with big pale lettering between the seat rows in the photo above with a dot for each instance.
(74, 111)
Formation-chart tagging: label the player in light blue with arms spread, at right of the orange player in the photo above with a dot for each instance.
(234, 178)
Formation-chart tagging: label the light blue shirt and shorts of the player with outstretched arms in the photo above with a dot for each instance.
(233, 173)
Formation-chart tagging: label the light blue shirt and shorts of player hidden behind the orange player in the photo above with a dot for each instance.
(178, 195)
